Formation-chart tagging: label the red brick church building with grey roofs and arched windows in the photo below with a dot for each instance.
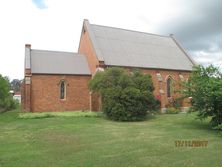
(58, 81)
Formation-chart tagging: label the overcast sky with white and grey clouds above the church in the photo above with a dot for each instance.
(56, 25)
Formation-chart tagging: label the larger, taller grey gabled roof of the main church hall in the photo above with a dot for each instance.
(120, 47)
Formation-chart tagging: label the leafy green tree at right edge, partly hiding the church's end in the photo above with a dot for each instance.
(205, 88)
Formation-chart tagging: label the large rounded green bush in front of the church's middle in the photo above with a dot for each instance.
(125, 97)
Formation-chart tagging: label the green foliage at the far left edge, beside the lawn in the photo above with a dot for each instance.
(6, 100)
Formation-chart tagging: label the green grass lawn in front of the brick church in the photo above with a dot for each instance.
(94, 141)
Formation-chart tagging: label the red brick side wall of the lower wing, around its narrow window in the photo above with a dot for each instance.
(45, 93)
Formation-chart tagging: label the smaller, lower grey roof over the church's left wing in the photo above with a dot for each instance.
(54, 62)
